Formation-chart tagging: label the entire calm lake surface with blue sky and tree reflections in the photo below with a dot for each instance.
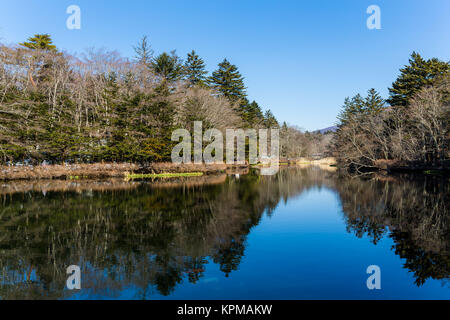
(302, 234)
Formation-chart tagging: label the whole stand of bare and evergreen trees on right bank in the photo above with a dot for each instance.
(411, 128)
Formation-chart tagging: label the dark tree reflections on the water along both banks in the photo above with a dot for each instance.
(154, 235)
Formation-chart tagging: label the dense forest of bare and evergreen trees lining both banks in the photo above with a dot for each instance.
(99, 106)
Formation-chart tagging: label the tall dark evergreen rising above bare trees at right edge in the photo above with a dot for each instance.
(418, 74)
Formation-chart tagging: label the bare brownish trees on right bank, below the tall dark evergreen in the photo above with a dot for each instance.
(370, 136)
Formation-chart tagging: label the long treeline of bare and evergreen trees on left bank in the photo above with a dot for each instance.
(99, 106)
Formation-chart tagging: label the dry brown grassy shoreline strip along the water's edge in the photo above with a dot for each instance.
(74, 172)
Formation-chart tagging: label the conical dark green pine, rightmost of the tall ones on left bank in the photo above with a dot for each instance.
(228, 81)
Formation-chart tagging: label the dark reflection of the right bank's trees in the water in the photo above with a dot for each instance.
(413, 210)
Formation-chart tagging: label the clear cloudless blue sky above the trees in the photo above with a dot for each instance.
(299, 58)
